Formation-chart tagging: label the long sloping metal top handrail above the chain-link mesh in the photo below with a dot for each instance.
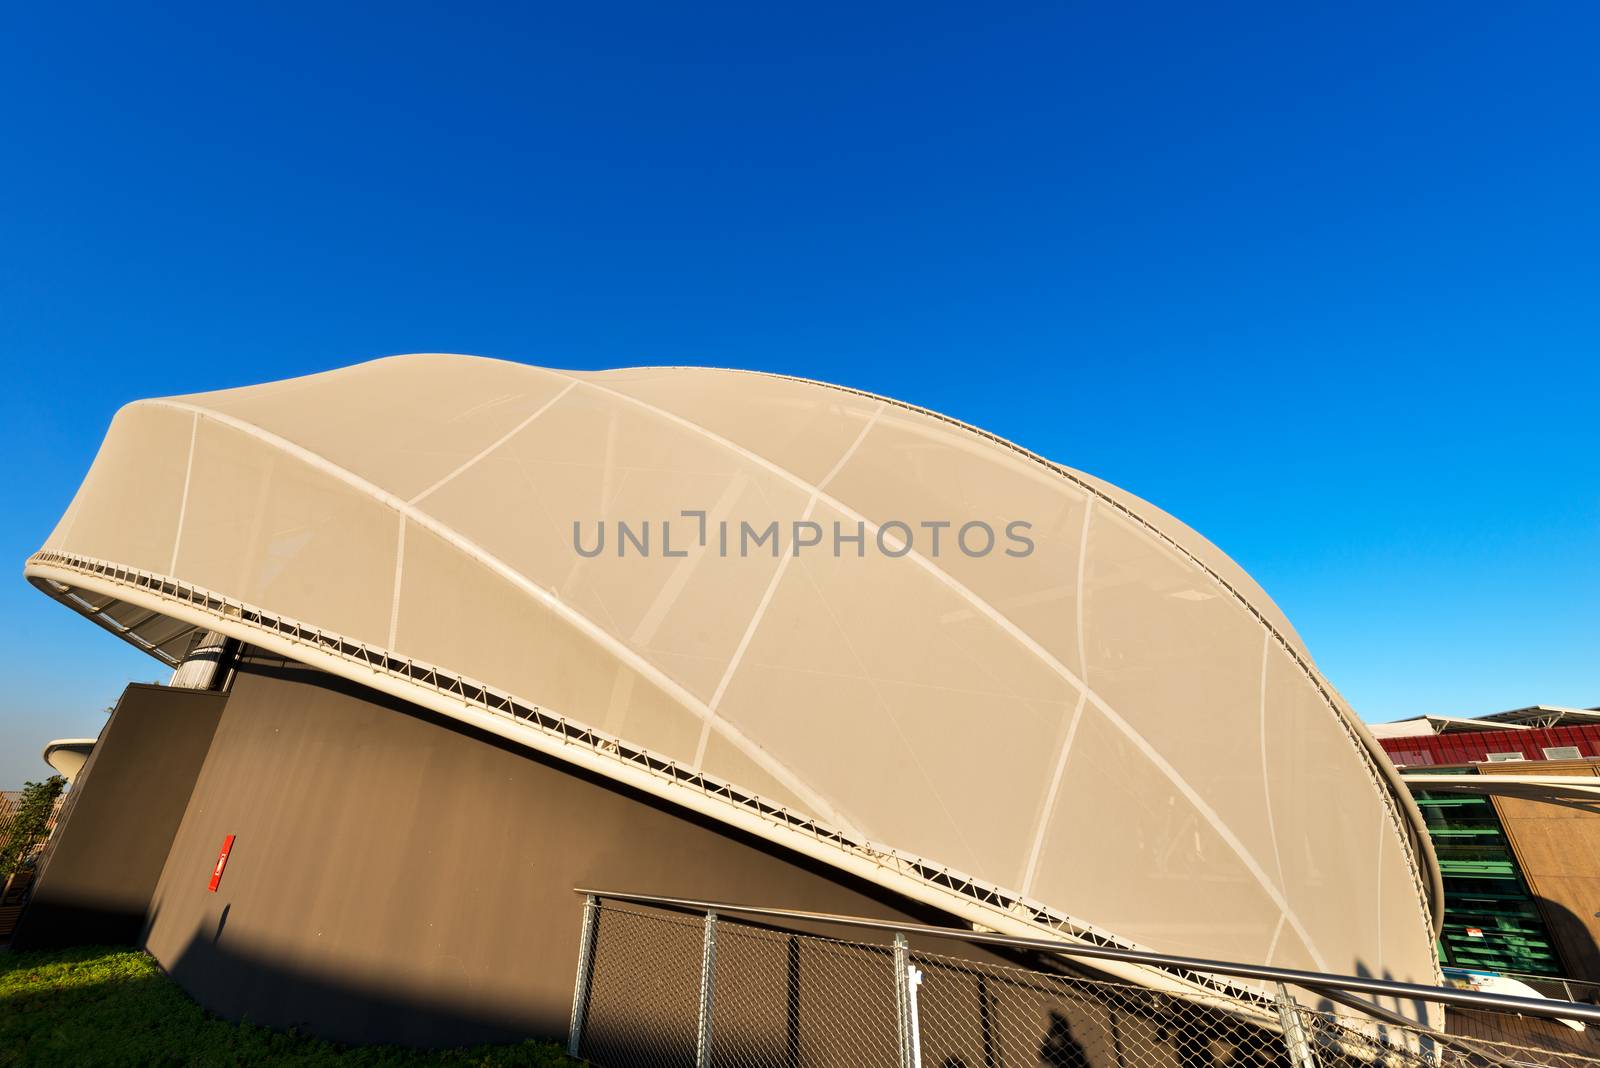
(1319, 982)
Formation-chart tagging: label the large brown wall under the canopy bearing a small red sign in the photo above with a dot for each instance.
(401, 879)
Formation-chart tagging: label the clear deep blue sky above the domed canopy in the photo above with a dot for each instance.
(1322, 284)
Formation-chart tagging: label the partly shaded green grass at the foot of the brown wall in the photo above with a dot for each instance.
(114, 1006)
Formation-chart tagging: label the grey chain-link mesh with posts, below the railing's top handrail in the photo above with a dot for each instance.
(668, 990)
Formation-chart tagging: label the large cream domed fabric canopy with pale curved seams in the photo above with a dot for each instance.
(1119, 725)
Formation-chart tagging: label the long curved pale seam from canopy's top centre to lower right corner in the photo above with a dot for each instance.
(996, 616)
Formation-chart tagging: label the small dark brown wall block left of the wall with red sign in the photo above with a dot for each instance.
(126, 810)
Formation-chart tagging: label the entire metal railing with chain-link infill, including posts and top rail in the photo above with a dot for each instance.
(666, 982)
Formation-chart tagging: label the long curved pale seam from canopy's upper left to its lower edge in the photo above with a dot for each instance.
(522, 583)
